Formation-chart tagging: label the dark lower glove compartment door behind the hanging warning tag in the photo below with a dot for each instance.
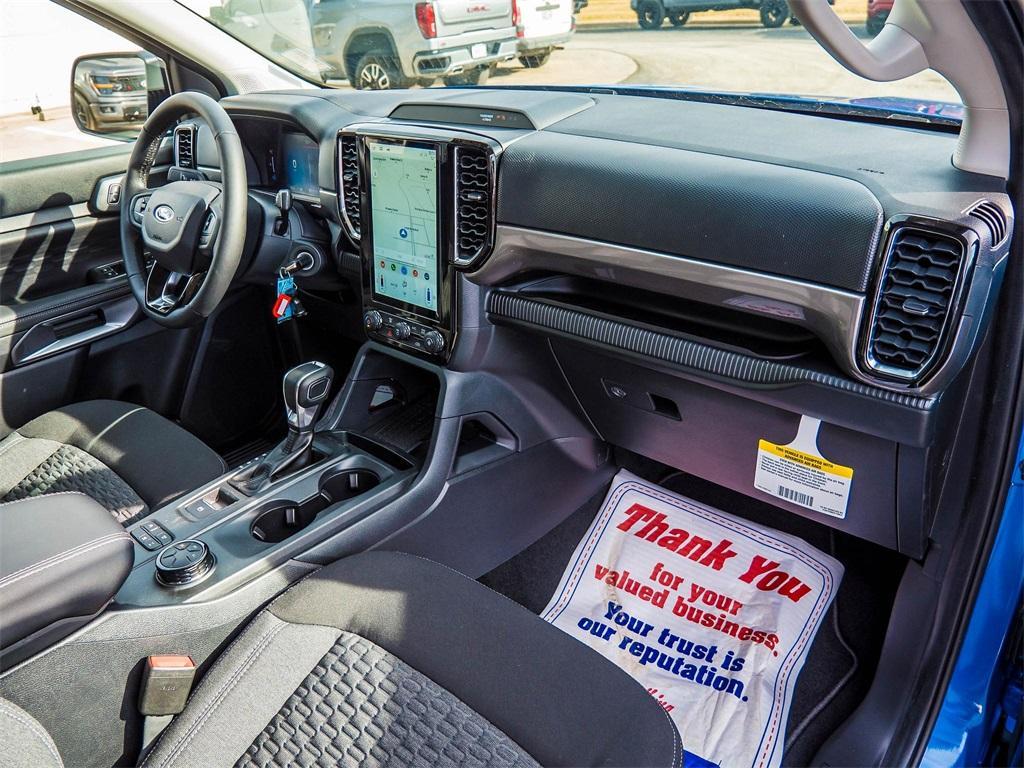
(715, 435)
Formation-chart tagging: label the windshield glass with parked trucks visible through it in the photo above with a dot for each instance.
(745, 48)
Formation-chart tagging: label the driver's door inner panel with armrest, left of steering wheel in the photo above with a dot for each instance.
(63, 290)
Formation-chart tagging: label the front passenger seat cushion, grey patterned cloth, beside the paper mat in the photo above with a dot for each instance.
(385, 659)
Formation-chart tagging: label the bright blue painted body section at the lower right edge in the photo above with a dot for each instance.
(984, 701)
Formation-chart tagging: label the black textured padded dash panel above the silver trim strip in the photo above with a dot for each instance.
(744, 214)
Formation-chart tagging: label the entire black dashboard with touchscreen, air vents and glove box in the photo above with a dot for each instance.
(702, 276)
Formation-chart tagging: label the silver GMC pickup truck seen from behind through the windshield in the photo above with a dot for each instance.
(378, 45)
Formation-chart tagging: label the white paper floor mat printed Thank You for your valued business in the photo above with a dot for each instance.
(713, 615)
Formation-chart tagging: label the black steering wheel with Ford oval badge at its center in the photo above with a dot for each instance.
(194, 230)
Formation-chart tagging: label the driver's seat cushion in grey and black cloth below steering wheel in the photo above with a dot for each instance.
(127, 458)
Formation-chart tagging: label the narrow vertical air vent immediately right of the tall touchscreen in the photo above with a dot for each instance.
(475, 191)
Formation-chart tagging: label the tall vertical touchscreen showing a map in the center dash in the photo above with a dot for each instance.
(404, 205)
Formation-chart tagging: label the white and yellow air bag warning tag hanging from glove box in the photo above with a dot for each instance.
(803, 479)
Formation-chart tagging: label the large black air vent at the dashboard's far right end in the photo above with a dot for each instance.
(915, 303)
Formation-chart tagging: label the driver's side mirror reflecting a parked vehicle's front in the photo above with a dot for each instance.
(113, 94)
